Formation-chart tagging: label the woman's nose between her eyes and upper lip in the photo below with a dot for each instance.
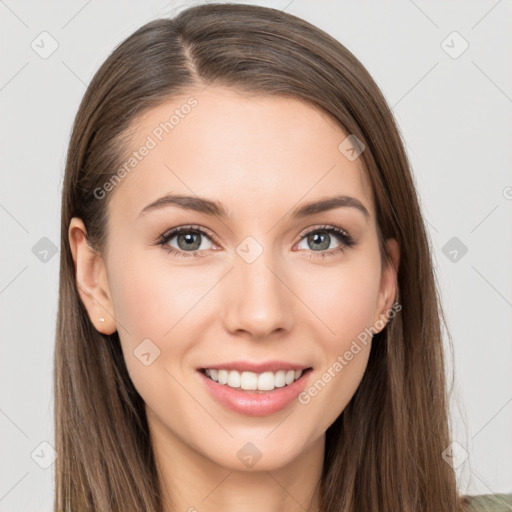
(257, 298)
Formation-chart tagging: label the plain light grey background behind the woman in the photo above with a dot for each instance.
(455, 116)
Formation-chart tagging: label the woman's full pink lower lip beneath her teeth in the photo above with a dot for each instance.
(255, 403)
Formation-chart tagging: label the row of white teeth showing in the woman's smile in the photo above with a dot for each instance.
(266, 381)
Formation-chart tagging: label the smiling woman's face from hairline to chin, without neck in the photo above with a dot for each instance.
(260, 288)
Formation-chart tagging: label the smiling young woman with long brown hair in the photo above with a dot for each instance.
(248, 317)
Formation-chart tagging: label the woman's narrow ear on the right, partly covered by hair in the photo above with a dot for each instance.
(388, 284)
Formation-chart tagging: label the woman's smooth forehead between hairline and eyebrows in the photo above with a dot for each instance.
(246, 151)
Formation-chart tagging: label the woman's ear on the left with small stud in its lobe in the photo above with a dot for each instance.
(91, 279)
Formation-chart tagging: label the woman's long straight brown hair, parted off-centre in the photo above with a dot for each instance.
(384, 451)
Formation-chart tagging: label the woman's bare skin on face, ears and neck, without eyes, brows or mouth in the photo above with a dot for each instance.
(261, 157)
